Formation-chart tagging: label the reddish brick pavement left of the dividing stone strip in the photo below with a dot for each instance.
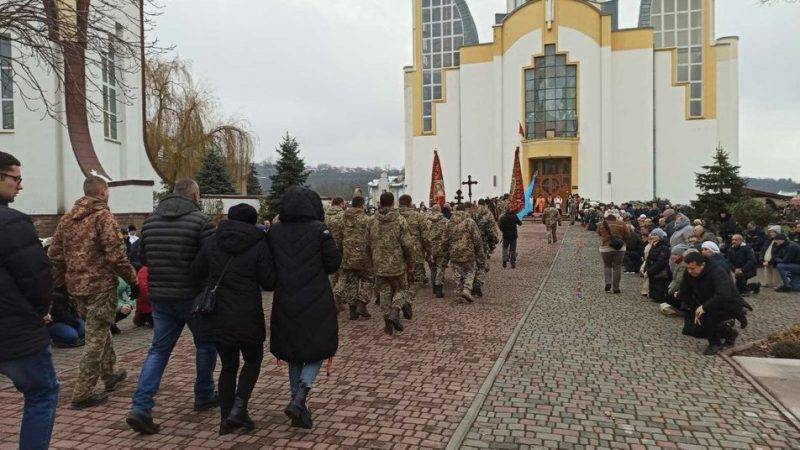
(407, 391)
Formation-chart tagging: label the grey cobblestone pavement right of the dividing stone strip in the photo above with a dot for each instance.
(597, 370)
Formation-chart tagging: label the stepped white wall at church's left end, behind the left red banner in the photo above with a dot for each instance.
(448, 127)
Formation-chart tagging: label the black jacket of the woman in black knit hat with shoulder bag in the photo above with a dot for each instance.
(238, 319)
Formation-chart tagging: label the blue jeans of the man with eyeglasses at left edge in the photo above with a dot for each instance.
(35, 377)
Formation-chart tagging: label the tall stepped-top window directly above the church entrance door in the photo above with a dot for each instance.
(551, 99)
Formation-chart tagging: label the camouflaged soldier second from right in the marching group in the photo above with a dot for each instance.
(465, 248)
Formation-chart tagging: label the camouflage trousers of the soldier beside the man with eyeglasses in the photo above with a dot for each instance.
(98, 358)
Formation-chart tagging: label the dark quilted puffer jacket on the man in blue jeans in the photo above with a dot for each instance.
(171, 239)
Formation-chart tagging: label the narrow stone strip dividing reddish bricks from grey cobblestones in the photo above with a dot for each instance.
(460, 434)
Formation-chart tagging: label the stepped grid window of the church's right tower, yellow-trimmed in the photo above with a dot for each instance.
(679, 23)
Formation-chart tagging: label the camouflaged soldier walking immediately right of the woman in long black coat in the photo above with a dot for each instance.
(355, 274)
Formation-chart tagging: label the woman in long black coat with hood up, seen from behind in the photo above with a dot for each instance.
(304, 330)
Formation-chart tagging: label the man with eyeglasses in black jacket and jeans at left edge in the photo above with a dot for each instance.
(25, 287)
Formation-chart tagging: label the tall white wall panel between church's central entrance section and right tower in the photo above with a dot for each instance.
(632, 125)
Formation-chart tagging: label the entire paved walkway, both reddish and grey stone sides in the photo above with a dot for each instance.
(588, 369)
